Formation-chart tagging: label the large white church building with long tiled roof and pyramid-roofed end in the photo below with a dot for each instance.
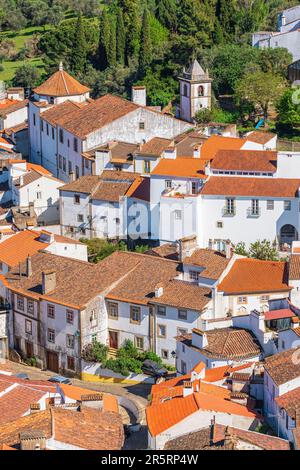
(64, 124)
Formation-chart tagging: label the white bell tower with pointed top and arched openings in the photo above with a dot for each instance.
(195, 91)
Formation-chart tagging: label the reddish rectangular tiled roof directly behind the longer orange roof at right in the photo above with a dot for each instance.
(245, 160)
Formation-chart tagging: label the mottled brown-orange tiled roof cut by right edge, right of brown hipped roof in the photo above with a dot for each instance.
(283, 367)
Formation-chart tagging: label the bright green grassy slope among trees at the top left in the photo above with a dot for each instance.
(20, 38)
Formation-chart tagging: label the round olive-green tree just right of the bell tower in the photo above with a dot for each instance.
(260, 89)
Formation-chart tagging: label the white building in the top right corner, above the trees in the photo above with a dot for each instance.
(287, 35)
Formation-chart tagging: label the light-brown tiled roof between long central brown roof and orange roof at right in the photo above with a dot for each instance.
(183, 294)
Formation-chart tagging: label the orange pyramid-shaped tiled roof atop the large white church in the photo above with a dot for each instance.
(61, 84)
